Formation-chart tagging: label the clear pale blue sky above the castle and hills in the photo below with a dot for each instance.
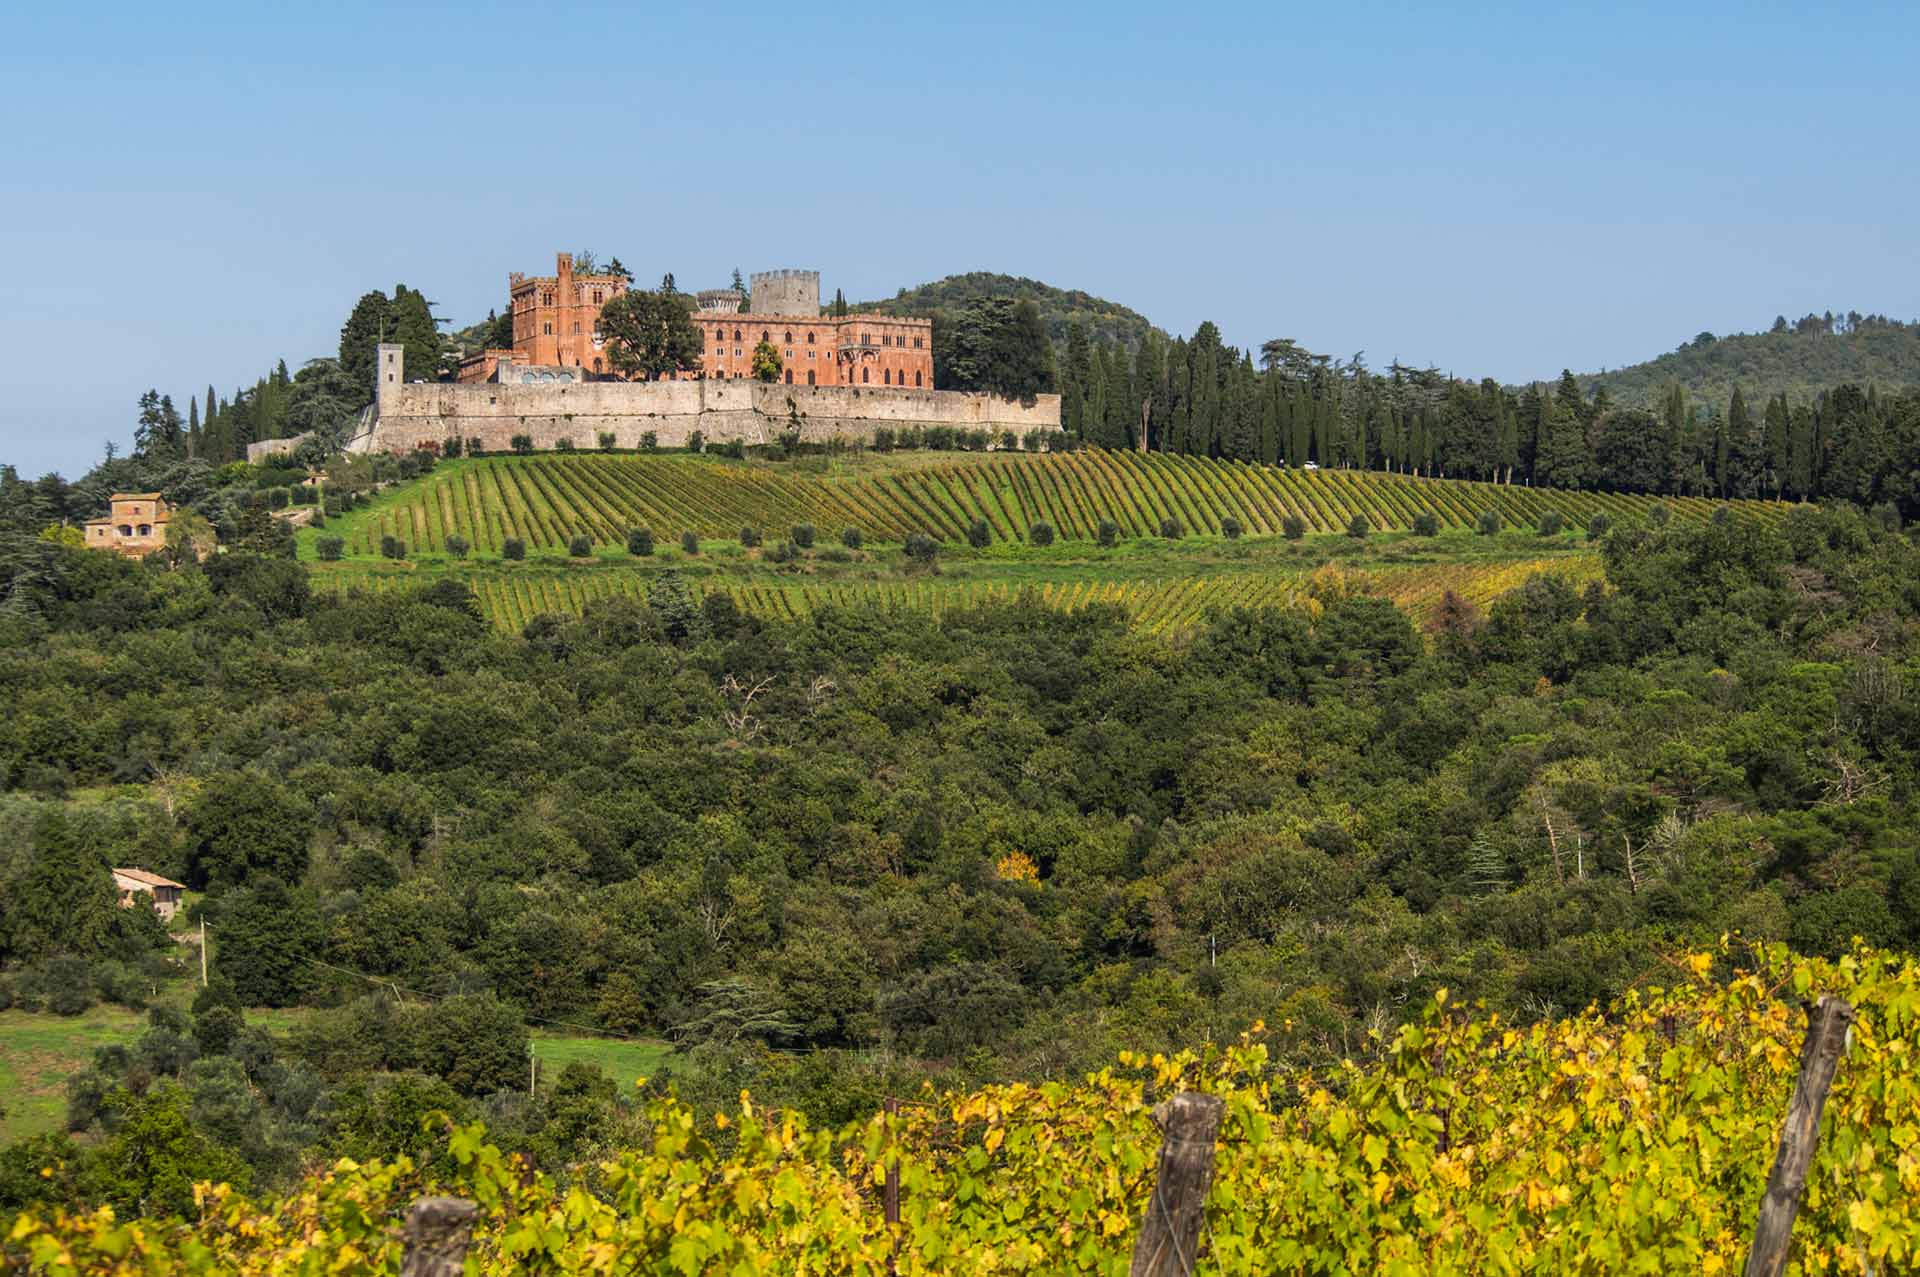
(197, 191)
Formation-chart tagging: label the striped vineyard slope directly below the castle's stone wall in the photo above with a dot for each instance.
(548, 500)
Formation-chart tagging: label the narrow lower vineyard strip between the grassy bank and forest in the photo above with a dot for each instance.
(514, 594)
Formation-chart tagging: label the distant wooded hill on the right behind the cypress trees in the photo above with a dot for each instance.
(1800, 360)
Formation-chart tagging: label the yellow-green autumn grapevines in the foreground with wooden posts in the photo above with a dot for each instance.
(1635, 1142)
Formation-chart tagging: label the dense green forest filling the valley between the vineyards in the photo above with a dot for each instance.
(834, 857)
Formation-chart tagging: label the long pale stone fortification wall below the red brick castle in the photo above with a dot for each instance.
(671, 412)
